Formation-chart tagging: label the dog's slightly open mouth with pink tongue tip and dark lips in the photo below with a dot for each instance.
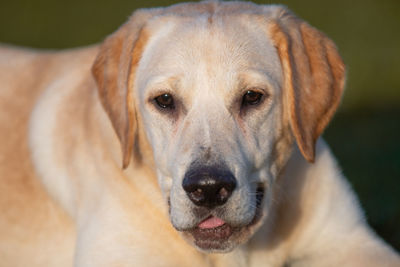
(215, 235)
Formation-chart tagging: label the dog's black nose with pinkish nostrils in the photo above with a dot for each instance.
(209, 186)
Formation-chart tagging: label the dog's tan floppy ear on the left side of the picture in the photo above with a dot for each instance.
(114, 71)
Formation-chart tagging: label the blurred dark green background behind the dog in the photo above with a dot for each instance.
(365, 134)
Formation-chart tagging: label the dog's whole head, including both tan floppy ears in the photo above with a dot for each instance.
(221, 91)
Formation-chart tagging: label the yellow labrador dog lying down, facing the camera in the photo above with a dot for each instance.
(217, 107)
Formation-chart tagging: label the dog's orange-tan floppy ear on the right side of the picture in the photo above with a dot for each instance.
(314, 76)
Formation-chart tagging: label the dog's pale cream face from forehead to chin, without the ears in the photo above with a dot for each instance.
(210, 98)
